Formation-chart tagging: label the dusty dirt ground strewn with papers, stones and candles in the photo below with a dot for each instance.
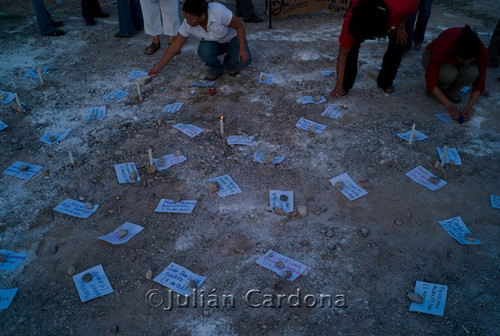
(223, 237)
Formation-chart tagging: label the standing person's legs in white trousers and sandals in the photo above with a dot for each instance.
(160, 17)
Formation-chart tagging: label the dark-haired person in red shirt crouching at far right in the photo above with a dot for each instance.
(456, 58)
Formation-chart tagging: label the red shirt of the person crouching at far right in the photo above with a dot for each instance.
(443, 51)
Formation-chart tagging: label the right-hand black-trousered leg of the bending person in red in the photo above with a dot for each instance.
(390, 64)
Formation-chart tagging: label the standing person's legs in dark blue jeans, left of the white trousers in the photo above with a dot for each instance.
(129, 17)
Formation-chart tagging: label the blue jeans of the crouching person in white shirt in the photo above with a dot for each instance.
(209, 50)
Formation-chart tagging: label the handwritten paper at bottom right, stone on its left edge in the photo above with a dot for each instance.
(433, 298)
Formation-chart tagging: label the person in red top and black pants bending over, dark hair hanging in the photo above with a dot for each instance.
(369, 19)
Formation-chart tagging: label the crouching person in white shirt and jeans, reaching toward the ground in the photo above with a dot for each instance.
(220, 32)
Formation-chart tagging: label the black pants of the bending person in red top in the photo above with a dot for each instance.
(390, 64)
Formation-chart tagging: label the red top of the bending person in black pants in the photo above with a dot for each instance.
(397, 10)
